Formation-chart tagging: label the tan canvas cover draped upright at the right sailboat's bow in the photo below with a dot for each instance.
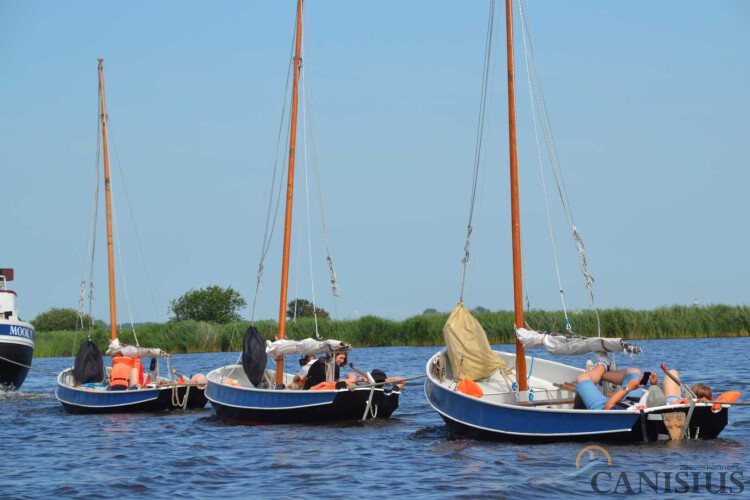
(468, 349)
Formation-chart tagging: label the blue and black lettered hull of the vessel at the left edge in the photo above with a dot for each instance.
(16, 352)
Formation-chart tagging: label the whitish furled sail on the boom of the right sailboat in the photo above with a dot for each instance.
(568, 345)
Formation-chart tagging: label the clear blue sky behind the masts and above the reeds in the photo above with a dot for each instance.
(648, 103)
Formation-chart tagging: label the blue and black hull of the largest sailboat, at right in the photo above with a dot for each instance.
(468, 416)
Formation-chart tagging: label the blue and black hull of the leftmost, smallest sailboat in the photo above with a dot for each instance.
(80, 400)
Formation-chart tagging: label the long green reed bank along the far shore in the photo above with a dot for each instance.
(423, 330)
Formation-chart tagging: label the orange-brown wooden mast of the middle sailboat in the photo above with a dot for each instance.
(289, 193)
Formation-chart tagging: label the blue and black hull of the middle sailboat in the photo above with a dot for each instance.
(248, 405)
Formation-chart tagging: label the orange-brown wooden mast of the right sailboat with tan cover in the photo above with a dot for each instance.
(514, 200)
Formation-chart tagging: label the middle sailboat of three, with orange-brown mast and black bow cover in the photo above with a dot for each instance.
(249, 392)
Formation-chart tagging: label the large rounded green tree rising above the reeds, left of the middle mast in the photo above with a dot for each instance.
(213, 304)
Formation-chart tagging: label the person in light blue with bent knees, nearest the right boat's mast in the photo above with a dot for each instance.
(590, 397)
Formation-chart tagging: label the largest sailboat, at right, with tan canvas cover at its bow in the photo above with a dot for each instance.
(487, 394)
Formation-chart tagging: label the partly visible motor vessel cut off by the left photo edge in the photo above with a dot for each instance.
(16, 338)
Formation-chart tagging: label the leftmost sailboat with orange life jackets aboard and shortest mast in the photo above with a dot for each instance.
(127, 386)
